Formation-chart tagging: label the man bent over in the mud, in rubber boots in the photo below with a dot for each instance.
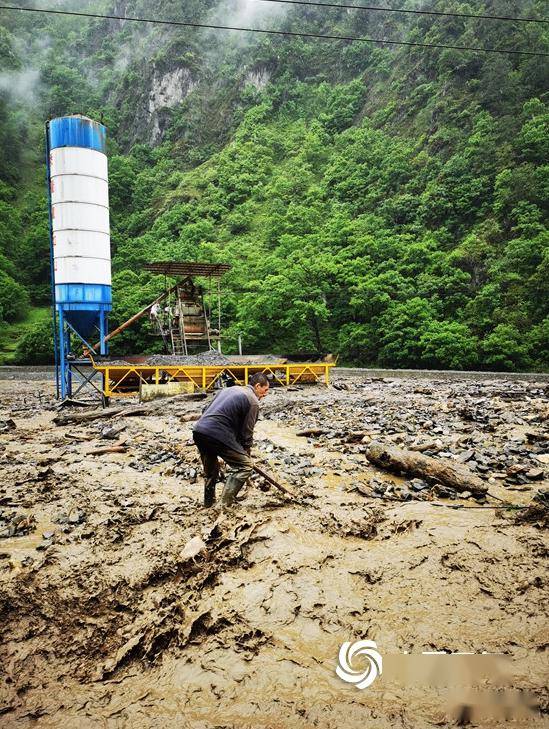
(225, 430)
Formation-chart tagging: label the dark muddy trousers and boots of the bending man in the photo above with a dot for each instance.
(241, 466)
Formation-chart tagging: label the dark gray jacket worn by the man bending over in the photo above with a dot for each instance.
(230, 418)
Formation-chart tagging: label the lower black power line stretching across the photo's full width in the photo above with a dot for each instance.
(292, 34)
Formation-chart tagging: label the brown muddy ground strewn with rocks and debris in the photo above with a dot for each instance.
(124, 602)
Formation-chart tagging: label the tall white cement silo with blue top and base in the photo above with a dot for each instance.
(80, 238)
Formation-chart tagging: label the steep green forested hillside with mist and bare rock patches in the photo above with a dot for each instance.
(386, 203)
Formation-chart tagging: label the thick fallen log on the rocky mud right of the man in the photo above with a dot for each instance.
(455, 475)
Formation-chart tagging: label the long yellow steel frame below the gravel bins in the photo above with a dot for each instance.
(205, 378)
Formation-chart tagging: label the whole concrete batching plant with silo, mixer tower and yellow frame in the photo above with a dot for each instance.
(81, 288)
